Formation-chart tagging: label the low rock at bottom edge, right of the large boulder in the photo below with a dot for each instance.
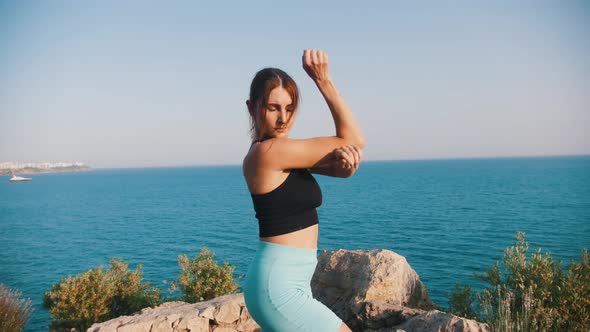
(434, 321)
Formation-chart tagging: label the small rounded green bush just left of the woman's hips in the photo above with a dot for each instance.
(202, 278)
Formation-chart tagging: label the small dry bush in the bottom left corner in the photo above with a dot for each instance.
(14, 311)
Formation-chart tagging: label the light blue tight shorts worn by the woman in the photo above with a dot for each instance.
(278, 294)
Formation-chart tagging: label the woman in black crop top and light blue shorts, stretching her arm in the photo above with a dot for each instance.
(285, 195)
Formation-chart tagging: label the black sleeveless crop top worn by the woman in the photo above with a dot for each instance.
(289, 207)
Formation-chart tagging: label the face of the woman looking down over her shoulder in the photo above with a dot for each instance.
(280, 114)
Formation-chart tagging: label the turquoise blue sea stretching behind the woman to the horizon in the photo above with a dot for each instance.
(449, 218)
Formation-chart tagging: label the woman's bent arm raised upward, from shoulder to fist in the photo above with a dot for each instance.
(285, 153)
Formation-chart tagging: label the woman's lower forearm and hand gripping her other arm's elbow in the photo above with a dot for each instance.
(342, 162)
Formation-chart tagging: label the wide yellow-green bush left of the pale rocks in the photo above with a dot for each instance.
(97, 295)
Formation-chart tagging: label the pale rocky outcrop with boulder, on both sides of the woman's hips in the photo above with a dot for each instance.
(371, 290)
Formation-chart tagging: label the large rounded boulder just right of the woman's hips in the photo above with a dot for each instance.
(369, 288)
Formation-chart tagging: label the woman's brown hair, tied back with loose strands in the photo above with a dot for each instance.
(263, 83)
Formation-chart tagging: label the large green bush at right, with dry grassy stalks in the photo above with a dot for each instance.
(529, 293)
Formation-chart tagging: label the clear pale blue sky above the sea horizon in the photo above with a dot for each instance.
(149, 84)
